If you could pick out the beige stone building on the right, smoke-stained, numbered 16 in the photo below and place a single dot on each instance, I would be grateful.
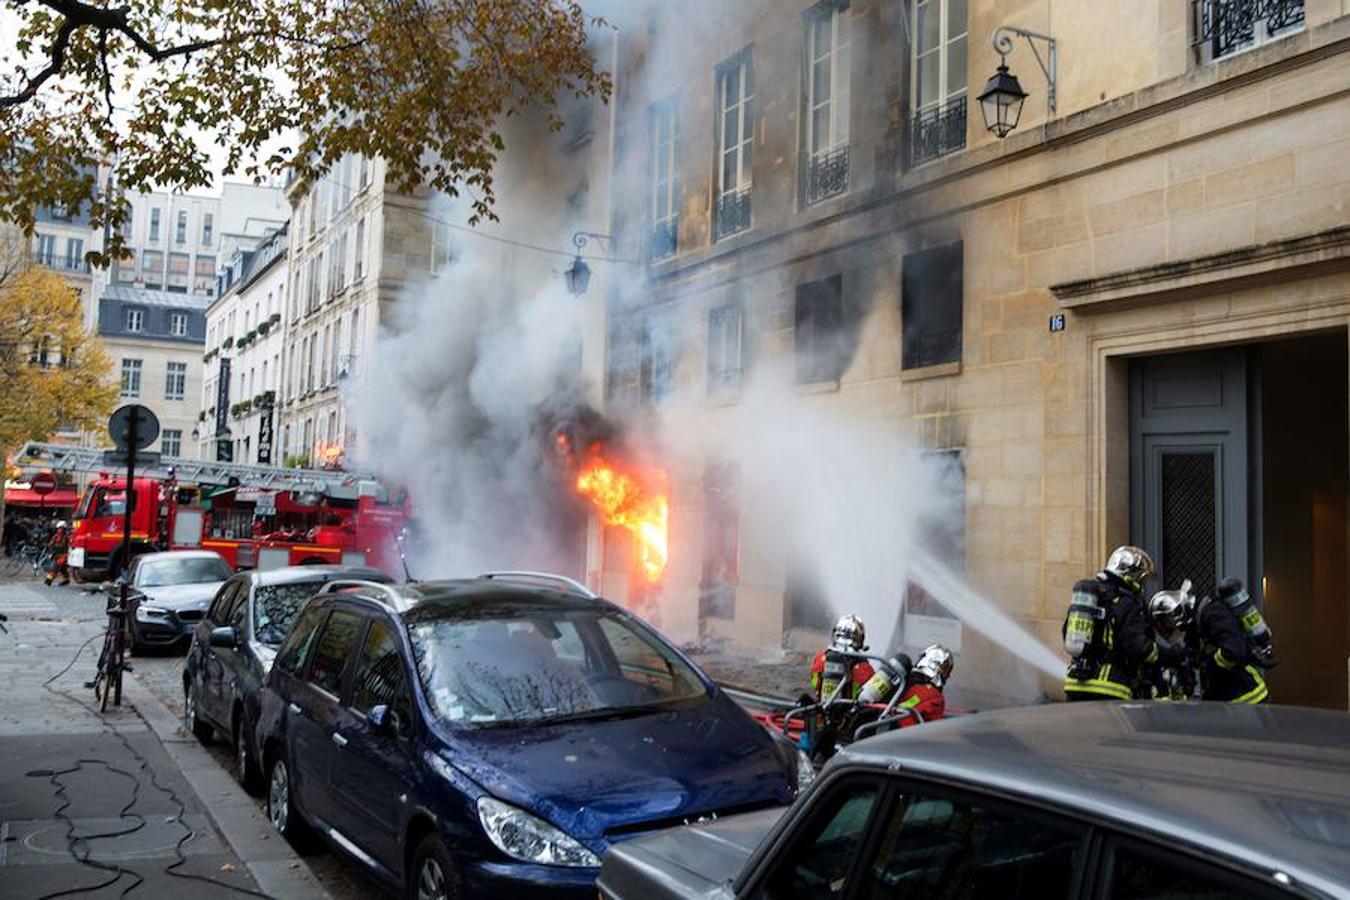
(1125, 322)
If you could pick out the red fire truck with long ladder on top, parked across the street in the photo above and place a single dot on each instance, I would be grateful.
(254, 516)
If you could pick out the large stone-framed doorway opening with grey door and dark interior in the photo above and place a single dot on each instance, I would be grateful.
(1239, 468)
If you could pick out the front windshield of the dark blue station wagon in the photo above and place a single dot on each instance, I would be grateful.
(510, 667)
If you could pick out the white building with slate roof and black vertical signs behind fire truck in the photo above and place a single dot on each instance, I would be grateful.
(244, 356)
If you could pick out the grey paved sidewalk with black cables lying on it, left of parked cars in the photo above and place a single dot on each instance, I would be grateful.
(130, 793)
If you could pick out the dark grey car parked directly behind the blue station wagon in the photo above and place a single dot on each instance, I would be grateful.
(236, 643)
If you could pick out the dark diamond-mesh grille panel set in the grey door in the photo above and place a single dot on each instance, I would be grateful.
(1190, 522)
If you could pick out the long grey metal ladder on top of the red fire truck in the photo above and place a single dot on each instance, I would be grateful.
(195, 472)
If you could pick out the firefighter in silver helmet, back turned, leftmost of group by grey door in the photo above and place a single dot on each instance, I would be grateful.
(1108, 634)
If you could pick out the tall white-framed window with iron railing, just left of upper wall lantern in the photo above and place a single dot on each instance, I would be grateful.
(938, 79)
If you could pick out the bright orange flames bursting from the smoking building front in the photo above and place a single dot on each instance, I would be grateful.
(622, 500)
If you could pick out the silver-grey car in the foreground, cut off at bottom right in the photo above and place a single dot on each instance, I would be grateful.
(1090, 801)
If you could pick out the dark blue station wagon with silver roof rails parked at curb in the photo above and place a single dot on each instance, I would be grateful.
(493, 737)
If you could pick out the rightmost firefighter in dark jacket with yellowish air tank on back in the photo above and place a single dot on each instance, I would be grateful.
(1231, 665)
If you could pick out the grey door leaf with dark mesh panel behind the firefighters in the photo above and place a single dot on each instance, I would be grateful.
(1190, 480)
